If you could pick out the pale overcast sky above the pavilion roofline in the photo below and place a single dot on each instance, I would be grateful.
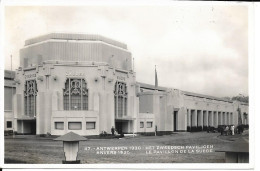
(202, 49)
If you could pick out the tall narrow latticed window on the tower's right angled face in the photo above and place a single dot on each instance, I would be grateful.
(120, 99)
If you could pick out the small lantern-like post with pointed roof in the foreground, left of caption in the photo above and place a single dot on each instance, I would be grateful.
(71, 147)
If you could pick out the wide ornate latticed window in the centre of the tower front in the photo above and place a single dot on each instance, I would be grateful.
(75, 96)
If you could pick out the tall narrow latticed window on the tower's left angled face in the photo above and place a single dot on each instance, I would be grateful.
(30, 94)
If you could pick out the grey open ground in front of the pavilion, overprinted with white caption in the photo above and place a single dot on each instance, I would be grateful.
(140, 149)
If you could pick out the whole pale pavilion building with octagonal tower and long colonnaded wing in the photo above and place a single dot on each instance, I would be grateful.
(86, 84)
